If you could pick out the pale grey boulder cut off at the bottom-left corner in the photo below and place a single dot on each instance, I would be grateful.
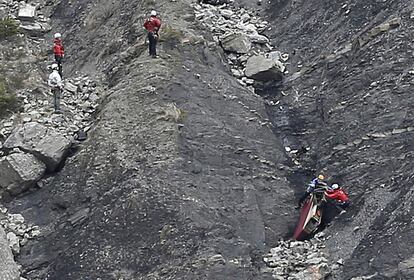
(8, 268)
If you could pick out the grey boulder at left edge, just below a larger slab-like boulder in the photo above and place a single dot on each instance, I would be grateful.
(20, 171)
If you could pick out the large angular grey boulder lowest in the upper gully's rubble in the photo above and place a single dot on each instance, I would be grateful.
(264, 69)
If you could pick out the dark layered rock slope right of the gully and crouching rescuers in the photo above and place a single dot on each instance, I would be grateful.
(349, 99)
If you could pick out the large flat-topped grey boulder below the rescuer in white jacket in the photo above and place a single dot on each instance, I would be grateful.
(46, 144)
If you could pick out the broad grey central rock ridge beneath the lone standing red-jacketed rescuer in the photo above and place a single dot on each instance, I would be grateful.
(180, 177)
